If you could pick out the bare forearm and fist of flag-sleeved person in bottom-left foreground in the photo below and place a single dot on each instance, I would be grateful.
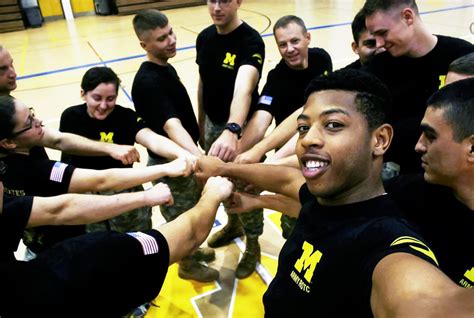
(187, 232)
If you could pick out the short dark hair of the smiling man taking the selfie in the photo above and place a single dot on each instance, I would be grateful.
(373, 98)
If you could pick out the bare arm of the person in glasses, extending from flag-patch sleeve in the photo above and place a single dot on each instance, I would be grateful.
(116, 179)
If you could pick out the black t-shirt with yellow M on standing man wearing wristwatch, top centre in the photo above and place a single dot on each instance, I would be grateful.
(219, 57)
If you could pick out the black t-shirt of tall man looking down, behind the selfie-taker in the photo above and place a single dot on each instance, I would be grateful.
(411, 82)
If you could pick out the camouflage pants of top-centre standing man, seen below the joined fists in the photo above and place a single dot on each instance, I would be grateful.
(252, 221)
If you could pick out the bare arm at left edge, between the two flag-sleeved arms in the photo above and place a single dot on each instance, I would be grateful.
(72, 209)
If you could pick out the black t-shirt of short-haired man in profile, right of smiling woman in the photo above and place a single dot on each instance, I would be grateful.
(159, 95)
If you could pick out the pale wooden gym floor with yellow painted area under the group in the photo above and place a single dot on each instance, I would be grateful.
(51, 60)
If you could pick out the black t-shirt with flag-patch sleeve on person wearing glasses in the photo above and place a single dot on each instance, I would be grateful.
(39, 177)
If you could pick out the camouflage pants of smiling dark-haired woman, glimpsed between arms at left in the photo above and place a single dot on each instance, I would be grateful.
(131, 221)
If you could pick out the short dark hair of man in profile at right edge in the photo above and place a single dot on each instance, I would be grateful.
(457, 101)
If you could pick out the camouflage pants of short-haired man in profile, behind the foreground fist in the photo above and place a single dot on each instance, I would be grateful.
(185, 191)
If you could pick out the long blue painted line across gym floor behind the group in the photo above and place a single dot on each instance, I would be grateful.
(193, 47)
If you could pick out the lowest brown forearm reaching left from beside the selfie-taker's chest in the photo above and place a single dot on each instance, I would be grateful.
(243, 202)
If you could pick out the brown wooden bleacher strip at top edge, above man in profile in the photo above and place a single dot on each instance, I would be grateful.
(133, 6)
